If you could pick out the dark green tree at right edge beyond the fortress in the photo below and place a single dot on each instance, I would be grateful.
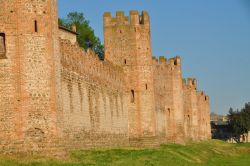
(240, 120)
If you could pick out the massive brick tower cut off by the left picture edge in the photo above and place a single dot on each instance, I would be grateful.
(29, 69)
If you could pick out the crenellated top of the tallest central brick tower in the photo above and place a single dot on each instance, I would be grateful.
(134, 18)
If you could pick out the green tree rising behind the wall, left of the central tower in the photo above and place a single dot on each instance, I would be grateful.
(86, 38)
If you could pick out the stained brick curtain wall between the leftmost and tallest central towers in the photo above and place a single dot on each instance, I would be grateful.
(94, 100)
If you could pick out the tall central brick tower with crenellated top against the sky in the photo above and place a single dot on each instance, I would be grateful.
(127, 44)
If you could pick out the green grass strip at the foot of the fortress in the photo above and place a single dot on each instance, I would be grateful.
(214, 153)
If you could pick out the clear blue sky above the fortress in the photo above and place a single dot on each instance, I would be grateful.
(211, 36)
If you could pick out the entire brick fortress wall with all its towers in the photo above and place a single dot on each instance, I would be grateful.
(56, 97)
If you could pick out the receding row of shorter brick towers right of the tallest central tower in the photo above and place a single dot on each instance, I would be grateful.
(182, 112)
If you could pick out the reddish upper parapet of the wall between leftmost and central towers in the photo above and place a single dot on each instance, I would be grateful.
(82, 62)
